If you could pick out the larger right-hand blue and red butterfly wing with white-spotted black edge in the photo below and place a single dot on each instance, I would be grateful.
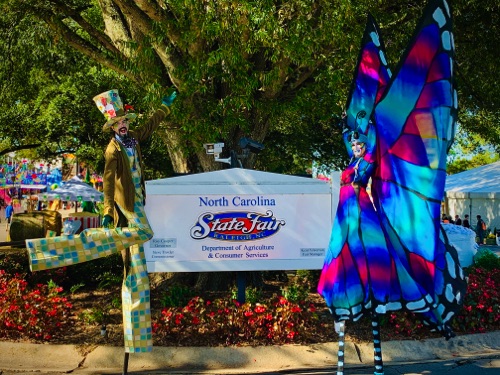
(415, 122)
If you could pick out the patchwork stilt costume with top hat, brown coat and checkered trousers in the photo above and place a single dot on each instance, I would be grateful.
(124, 198)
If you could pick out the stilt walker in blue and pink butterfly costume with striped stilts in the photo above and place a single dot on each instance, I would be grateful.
(387, 250)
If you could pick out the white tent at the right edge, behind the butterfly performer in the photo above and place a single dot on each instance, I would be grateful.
(475, 192)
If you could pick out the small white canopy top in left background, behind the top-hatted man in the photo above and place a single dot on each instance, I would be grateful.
(73, 190)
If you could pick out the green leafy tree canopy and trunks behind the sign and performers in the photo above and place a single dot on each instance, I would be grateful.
(274, 71)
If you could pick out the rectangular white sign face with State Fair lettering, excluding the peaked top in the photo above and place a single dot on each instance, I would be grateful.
(237, 232)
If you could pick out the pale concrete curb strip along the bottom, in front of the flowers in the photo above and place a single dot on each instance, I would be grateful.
(19, 357)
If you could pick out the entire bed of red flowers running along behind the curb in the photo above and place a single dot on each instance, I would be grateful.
(41, 312)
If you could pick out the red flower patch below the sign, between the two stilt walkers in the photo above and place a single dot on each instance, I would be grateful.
(276, 322)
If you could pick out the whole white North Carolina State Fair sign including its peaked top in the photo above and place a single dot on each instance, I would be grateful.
(239, 221)
